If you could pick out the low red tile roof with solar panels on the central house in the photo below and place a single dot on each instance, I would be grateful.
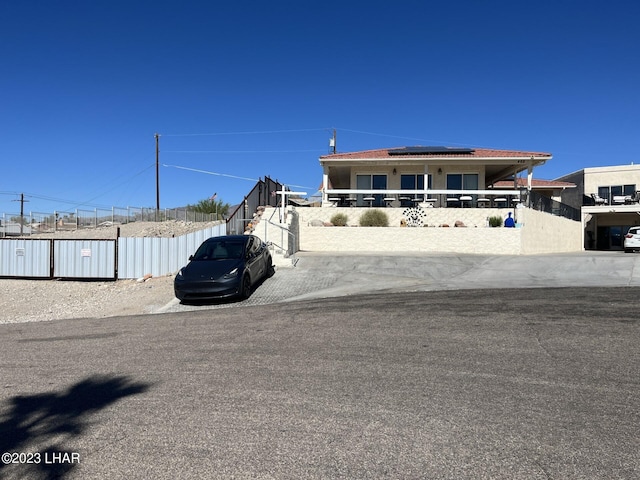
(403, 153)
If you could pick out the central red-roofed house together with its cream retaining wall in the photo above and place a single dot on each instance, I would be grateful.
(436, 188)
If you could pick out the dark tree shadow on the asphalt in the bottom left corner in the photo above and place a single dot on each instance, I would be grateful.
(40, 424)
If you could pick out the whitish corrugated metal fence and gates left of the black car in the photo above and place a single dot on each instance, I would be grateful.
(99, 259)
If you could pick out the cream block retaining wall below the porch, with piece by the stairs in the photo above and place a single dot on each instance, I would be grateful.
(539, 232)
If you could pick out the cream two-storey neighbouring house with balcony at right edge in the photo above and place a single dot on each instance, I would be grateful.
(608, 198)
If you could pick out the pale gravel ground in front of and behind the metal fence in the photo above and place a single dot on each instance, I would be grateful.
(42, 300)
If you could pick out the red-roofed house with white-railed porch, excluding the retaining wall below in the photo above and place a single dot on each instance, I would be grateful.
(440, 176)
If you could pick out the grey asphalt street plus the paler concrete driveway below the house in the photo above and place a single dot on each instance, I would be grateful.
(426, 383)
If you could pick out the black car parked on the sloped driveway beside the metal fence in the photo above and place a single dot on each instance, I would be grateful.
(224, 267)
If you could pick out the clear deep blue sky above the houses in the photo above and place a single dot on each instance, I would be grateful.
(245, 89)
